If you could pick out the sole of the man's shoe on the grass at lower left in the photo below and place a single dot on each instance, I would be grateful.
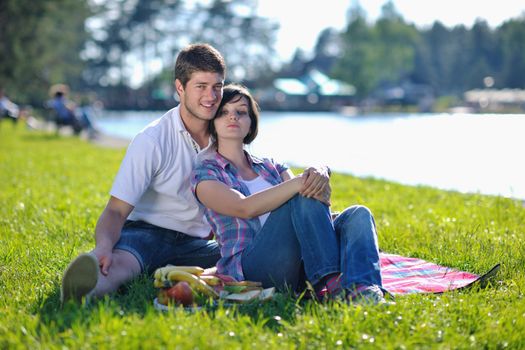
(80, 278)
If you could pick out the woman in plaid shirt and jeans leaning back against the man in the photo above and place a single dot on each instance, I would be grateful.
(267, 231)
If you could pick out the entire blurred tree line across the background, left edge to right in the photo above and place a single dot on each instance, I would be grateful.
(97, 46)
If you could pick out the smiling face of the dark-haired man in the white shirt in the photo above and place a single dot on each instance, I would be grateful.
(202, 95)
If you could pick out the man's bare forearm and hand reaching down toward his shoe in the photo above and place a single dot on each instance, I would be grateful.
(107, 231)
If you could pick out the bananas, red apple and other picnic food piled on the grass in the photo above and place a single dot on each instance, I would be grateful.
(179, 284)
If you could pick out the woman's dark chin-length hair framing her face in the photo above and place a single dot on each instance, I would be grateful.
(233, 92)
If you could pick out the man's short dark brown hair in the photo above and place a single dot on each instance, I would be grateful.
(198, 57)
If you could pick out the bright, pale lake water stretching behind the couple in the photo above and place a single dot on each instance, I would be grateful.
(464, 152)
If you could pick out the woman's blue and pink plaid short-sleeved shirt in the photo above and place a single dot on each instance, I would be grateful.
(234, 234)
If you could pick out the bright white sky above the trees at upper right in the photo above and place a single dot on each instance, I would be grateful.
(302, 21)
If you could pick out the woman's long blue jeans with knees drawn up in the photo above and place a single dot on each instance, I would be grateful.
(301, 233)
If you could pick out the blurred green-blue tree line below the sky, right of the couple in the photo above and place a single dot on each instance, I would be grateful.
(450, 60)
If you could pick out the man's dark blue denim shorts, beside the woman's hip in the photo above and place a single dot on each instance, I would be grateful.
(156, 247)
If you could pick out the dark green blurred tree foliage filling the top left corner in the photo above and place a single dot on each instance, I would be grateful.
(40, 43)
